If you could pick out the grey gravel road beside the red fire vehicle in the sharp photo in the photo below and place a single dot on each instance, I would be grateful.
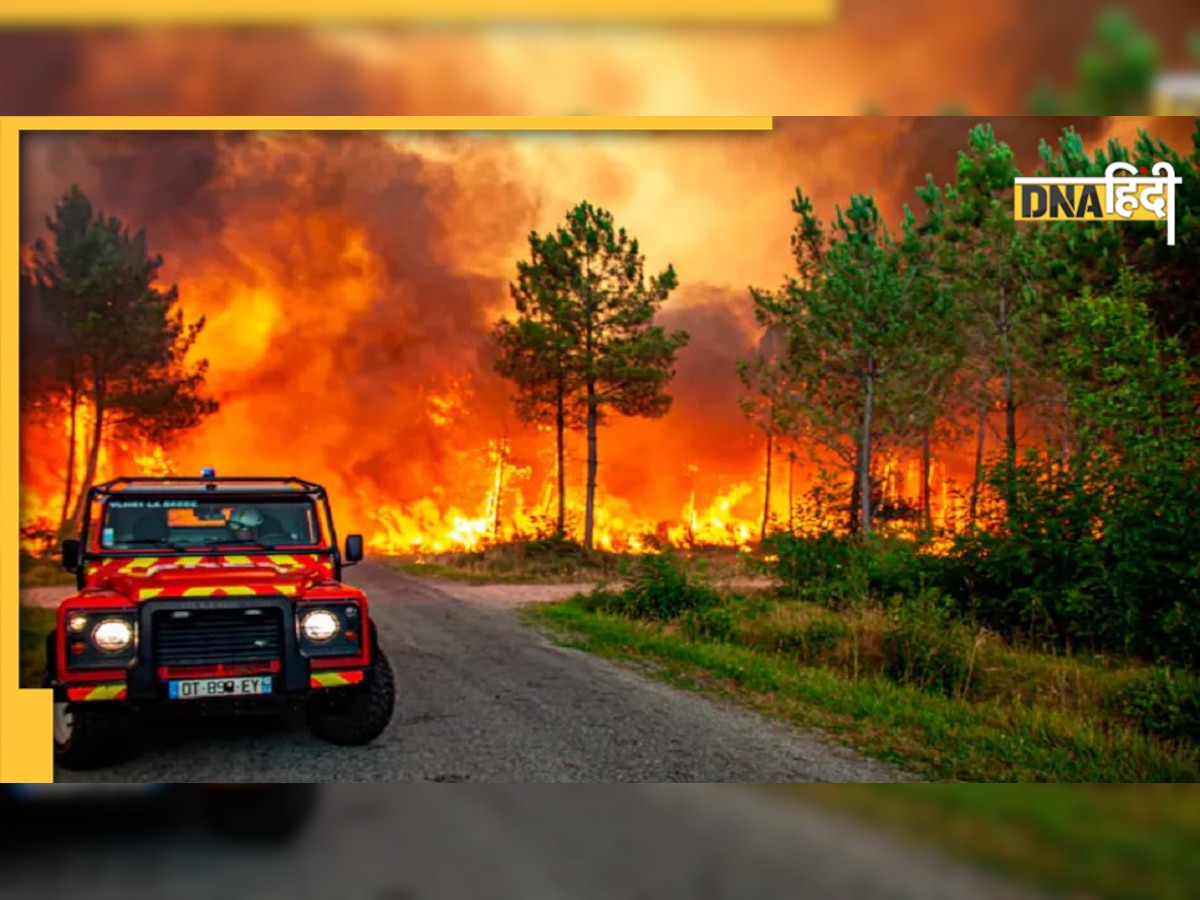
(484, 699)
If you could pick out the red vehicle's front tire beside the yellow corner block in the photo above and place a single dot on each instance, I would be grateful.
(101, 733)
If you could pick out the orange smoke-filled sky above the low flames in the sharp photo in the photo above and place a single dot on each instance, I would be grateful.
(351, 283)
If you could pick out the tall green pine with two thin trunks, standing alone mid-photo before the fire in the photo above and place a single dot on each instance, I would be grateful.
(584, 341)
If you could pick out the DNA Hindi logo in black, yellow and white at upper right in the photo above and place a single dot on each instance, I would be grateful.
(1126, 194)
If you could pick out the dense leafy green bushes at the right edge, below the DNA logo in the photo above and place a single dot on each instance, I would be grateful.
(1094, 553)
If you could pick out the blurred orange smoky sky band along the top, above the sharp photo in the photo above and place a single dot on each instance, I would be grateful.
(905, 57)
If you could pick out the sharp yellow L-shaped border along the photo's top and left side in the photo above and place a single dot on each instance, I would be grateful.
(26, 727)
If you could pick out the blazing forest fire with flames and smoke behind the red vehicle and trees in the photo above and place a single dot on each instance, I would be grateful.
(350, 287)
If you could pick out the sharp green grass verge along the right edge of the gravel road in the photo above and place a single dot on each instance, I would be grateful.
(933, 735)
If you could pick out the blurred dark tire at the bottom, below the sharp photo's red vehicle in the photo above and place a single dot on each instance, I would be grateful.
(260, 814)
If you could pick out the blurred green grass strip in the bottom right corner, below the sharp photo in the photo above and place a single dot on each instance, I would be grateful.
(1123, 843)
